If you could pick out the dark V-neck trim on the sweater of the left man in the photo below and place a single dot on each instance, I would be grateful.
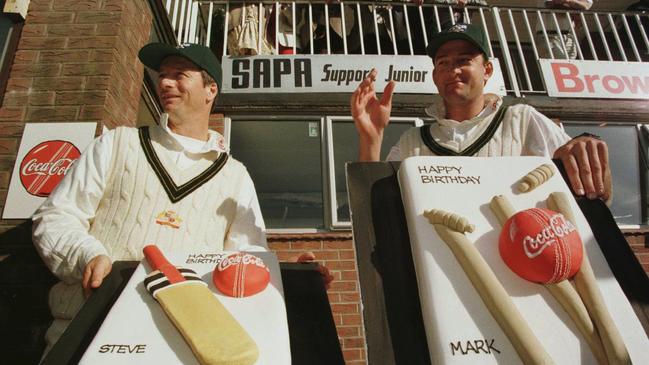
(177, 192)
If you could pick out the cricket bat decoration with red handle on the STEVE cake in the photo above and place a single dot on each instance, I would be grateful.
(213, 334)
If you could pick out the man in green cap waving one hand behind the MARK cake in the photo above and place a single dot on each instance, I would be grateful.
(468, 123)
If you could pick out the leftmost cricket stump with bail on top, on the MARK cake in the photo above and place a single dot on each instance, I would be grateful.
(451, 228)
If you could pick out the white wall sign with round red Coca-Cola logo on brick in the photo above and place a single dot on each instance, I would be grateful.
(46, 153)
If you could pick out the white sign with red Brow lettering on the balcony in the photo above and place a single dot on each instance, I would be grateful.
(596, 79)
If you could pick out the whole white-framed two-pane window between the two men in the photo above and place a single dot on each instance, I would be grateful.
(296, 162)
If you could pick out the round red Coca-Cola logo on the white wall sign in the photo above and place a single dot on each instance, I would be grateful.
(45, 165)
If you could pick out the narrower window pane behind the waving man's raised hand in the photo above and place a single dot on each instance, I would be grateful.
(345, 143)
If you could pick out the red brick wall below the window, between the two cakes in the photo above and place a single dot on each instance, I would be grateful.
(336, 251)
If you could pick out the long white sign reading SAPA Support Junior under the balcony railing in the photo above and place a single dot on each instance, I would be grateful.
(334, 74)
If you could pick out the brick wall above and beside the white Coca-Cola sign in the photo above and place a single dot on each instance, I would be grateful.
(76, 61)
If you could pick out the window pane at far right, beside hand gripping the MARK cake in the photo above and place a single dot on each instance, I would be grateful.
(625, 168)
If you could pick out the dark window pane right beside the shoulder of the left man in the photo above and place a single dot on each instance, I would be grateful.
(283, 159)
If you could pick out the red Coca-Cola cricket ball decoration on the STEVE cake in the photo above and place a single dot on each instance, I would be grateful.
(241, 275)
